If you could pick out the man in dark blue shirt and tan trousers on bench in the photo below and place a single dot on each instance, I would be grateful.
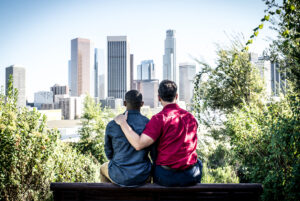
(127, 167)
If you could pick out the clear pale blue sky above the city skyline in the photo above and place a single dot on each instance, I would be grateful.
(36, 34)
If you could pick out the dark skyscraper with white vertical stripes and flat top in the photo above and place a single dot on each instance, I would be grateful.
(118, 69)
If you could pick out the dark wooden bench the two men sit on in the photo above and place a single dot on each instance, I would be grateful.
(107, 191)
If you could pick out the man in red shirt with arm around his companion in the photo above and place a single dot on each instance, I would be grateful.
(175, 132)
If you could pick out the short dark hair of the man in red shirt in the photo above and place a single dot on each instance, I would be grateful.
(167, 90)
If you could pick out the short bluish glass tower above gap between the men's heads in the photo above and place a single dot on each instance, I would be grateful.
(146, 70)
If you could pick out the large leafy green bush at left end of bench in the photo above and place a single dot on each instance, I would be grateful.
(32, 156)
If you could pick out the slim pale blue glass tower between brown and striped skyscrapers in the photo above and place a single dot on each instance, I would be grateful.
(102, 92)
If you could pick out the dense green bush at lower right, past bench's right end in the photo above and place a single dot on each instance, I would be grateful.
(266, 141)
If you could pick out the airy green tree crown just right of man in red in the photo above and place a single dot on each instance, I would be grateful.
(231, 82)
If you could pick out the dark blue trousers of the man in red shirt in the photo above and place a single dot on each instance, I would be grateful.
(187, 177)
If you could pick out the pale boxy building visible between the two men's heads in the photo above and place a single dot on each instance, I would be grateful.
(149, 90)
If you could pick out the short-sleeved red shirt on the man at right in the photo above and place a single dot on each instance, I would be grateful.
(176, 132)
